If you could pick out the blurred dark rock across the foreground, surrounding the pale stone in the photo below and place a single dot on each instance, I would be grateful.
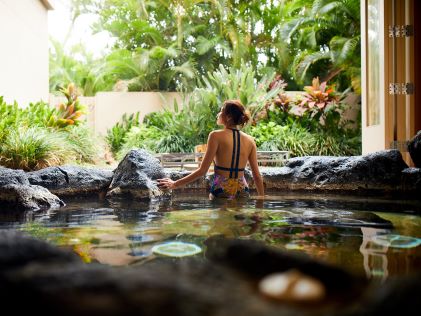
(52, 281)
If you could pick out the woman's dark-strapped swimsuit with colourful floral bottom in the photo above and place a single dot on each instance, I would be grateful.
(234, 186)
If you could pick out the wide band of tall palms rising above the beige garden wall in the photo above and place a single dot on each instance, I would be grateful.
(165, 45)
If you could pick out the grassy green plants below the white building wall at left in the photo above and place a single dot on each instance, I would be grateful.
(29, 141)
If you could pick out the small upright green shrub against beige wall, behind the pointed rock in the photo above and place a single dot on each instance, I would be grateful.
(117, 134)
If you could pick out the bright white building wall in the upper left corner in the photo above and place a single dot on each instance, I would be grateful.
(23, 51)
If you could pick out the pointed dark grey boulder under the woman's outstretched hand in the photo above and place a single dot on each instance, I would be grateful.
(136, 176)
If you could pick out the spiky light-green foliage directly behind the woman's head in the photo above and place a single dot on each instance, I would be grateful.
(181, 128)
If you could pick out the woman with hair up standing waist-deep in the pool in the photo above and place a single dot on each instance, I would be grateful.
(230, 150)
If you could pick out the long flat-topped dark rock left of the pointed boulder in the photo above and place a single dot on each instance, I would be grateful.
(72, 180)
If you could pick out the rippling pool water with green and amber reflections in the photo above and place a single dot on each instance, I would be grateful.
(367, 236)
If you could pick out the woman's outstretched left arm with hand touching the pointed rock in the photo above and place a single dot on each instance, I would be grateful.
(211, 149)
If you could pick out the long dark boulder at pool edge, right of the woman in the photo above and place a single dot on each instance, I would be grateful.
(379, 171)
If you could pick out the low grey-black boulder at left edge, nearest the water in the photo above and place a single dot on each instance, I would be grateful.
(28, 197)
